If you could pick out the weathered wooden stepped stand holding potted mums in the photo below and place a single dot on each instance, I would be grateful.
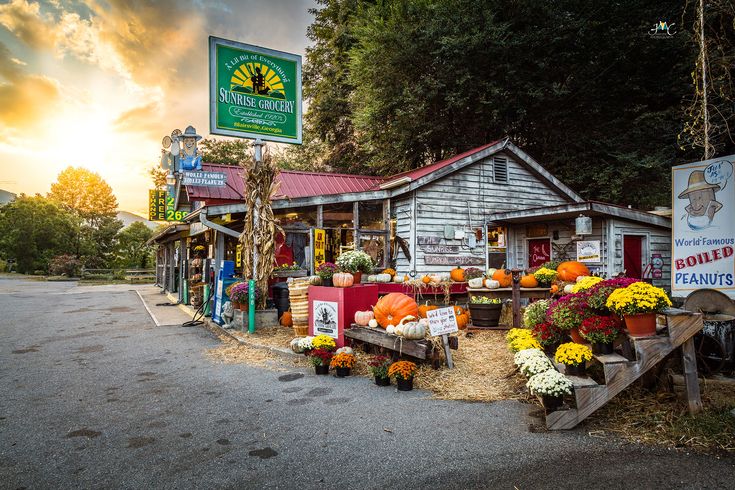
(621, 372)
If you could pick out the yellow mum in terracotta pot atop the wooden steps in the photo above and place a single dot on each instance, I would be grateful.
(638, 304)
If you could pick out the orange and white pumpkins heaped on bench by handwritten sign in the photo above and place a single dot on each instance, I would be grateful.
(400, 315)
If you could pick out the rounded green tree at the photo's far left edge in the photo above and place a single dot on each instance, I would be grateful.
(35, 229)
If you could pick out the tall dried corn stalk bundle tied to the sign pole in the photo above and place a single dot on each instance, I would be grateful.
(260, 185)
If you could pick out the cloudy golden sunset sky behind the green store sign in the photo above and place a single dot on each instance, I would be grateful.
(98, 83)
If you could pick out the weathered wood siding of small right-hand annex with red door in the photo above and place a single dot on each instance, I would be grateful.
(657, 240)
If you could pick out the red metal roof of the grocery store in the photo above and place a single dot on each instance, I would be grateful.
(308, 184)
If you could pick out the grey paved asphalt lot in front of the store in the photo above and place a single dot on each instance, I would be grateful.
(93, 395)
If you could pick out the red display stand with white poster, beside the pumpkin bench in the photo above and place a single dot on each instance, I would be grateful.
(332, 310)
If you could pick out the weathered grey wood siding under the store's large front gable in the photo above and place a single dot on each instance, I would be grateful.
(462, 200)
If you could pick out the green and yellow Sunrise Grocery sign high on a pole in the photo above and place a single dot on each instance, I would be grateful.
(254, 92)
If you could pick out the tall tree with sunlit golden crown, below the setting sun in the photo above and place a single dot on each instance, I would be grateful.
(86, 194)
